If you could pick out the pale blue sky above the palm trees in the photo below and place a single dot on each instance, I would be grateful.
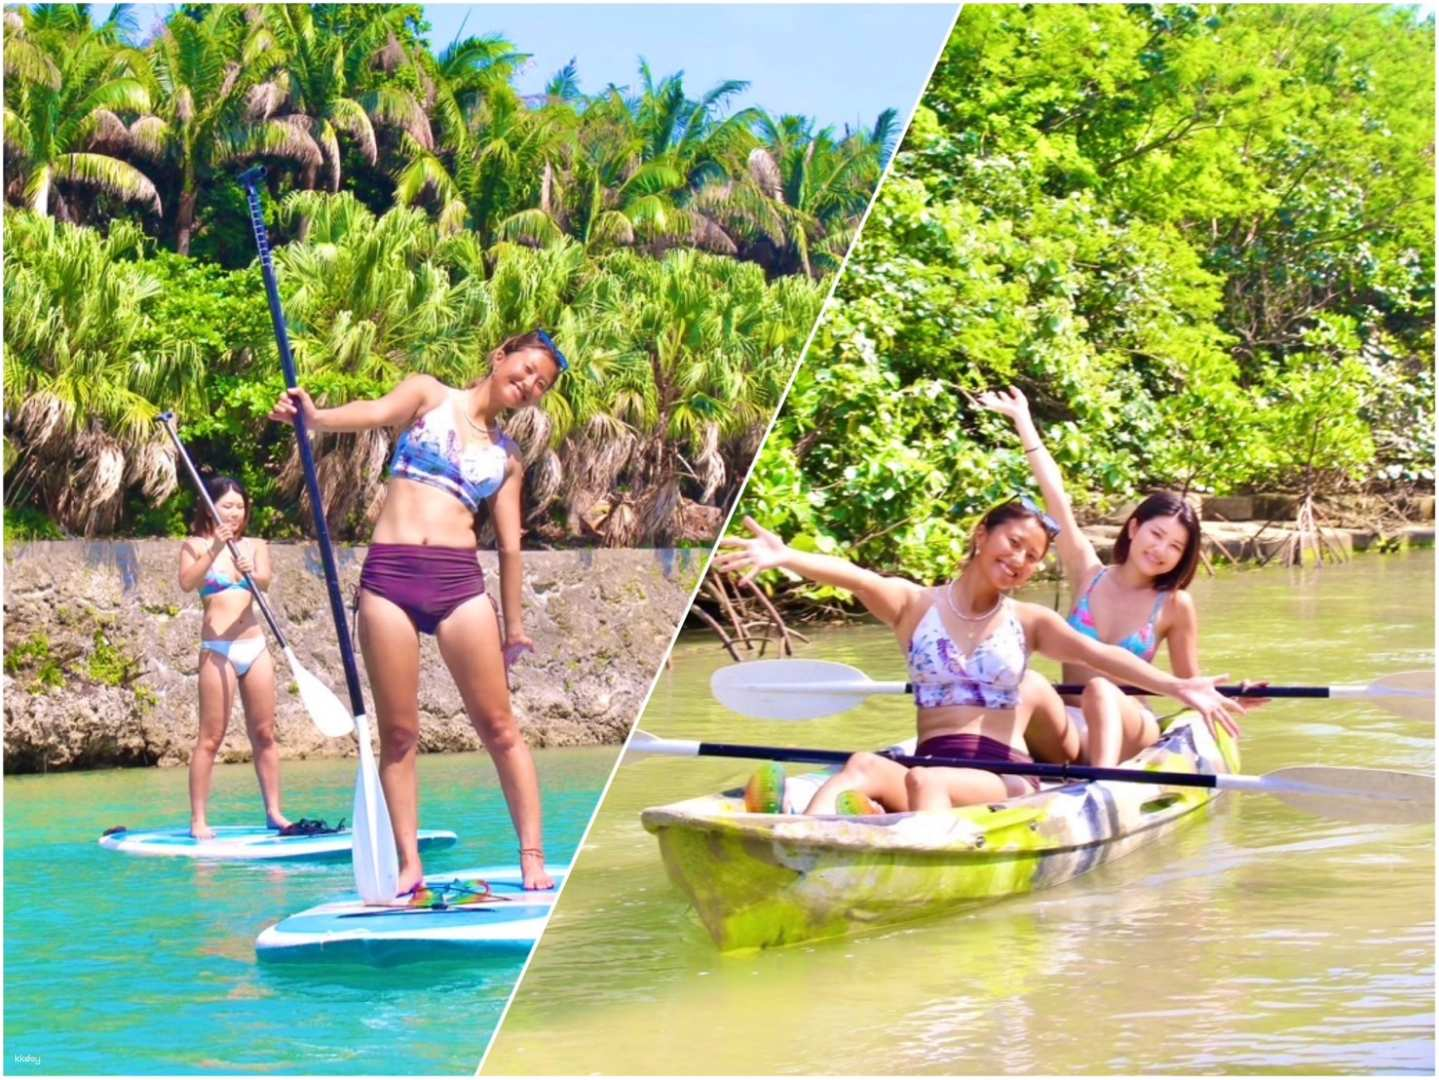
(841, 64)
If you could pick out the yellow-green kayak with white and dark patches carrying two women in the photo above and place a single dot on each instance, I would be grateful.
(762, 881)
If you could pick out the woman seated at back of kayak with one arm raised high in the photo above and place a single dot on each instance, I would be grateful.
(1138, 605)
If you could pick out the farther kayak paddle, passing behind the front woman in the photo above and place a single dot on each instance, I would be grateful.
(809, 690)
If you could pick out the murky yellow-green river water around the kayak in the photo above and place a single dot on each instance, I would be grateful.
(1254, 941)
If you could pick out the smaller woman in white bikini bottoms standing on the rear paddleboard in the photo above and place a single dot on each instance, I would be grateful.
(232, 648)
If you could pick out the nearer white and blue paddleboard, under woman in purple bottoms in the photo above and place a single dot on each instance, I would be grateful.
(458, 915)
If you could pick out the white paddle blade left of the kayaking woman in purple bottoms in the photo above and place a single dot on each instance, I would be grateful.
(794, 690)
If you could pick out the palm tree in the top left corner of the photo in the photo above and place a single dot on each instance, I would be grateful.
(65, 101)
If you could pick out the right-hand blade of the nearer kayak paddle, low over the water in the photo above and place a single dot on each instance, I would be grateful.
(1353, 795)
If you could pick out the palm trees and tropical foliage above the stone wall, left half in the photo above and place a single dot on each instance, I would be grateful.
(424, 211)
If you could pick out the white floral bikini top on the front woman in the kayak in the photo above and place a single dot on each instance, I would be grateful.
(989, 677)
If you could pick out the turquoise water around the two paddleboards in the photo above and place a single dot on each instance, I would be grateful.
(119, 964)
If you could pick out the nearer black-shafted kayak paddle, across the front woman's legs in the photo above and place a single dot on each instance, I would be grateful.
(1348, 795)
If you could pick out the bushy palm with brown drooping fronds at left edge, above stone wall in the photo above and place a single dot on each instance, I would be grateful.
(83, 375)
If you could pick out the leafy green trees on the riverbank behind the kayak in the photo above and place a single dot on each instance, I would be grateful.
(1201, 239)
